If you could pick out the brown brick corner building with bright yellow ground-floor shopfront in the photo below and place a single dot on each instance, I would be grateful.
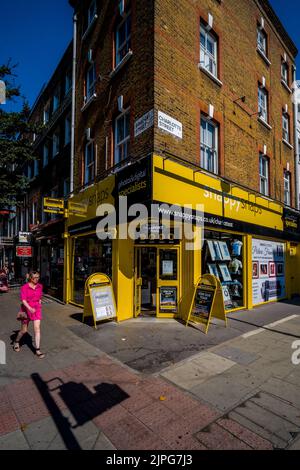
(191, 102)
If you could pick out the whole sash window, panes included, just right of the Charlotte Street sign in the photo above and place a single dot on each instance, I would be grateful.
(209, 146)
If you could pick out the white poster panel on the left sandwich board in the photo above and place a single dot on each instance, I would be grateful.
(103, 303)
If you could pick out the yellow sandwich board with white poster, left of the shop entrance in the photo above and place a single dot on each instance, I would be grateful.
(99, 299)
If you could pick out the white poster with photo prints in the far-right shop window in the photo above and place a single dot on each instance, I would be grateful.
(268, 268)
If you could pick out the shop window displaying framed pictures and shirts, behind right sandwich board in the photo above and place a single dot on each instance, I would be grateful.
(223, 257)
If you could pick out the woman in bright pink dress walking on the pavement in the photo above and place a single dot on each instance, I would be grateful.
(31, 298)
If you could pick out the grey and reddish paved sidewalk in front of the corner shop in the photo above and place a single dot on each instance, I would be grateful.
(150, 384)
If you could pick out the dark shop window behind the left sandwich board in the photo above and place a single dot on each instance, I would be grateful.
(91, 256)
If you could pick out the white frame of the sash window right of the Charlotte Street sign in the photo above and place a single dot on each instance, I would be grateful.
(212, 164)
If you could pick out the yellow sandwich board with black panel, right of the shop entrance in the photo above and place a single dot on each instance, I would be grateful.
(207, 302)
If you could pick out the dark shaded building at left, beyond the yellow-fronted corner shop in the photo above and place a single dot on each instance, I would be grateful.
(49, 176)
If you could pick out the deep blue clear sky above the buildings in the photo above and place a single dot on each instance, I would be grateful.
(35, 34)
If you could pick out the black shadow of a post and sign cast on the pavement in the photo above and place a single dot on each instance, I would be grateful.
(80, 401)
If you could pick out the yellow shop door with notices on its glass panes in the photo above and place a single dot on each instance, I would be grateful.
(168, 285)
